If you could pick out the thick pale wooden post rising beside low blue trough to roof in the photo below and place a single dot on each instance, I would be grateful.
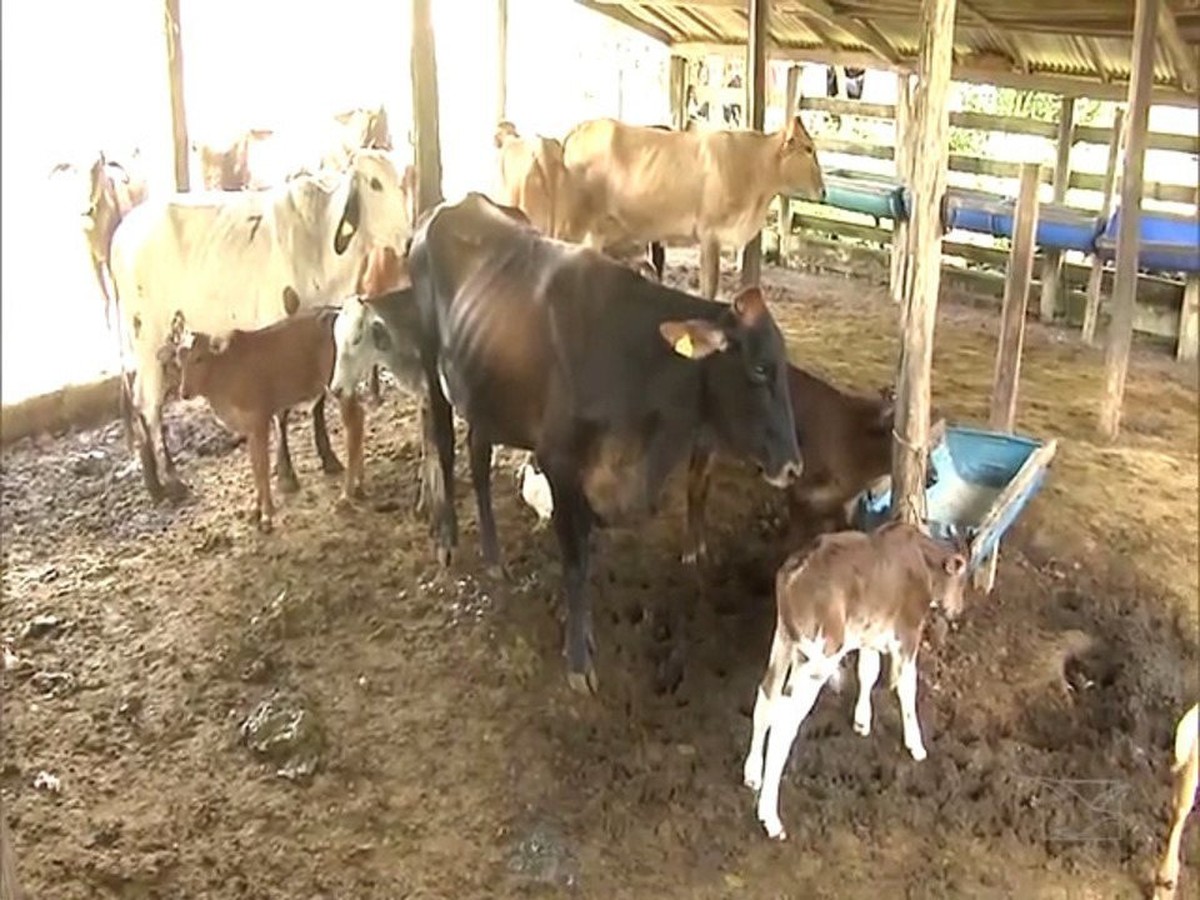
(932, 152)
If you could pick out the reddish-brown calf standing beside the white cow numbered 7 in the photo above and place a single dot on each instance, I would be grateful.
(249, 377)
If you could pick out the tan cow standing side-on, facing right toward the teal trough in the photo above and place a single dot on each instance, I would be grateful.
(643, 184)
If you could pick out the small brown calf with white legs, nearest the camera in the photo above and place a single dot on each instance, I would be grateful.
(854, 592)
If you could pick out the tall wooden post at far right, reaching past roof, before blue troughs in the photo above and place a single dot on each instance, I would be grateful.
(1125, 289)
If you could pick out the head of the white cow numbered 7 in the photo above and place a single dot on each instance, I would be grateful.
(379, 202)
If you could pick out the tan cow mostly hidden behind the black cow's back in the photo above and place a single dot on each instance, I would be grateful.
(532, 178)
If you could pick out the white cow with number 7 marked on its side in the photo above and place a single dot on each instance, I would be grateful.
(244, 261)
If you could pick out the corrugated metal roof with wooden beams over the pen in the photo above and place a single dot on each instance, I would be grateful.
(1016, 40)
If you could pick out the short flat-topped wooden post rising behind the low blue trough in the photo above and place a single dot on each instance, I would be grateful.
(1018, 281)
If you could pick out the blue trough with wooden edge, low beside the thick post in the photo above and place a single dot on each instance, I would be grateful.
(985, 481)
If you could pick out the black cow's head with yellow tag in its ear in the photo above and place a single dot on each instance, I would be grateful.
(746, 383)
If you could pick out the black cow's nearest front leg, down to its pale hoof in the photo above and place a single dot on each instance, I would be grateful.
(573, 527)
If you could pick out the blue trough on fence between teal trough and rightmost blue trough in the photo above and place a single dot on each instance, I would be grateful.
(1060, 227)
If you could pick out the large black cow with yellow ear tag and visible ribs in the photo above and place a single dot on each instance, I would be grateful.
(610, 379)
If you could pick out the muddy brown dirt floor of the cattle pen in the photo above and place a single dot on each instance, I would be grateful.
(193, 710)
